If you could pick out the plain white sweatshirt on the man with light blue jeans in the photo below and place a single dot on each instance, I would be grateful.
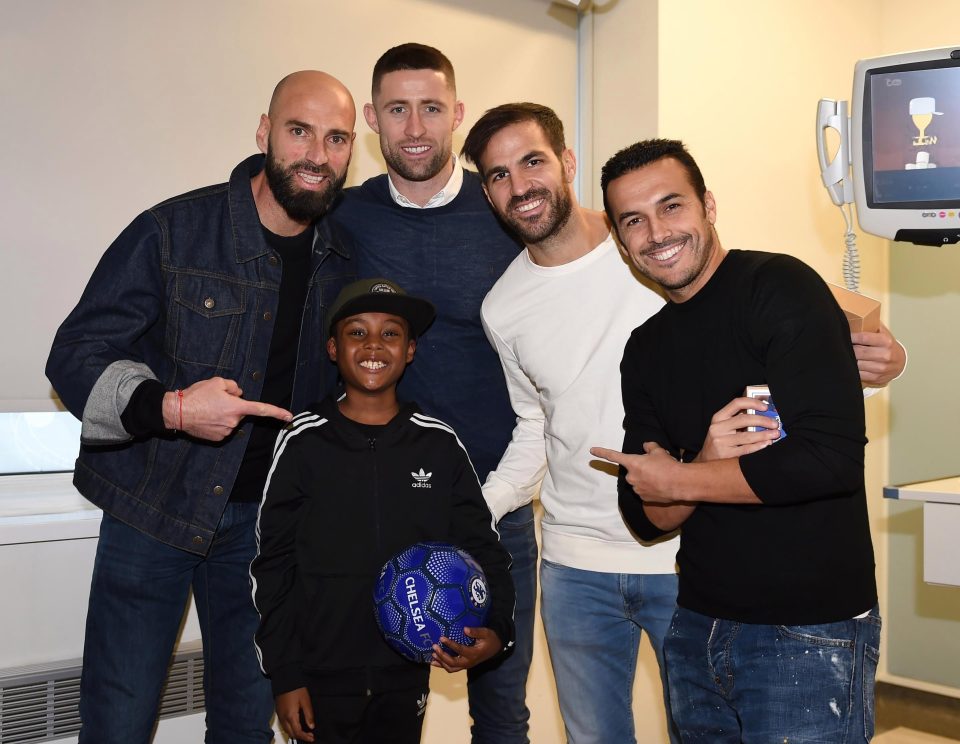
(560, 333)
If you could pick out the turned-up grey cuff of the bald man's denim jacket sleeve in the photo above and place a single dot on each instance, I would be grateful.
(107, 400)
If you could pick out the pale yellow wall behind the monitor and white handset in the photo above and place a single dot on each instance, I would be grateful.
(739, 82)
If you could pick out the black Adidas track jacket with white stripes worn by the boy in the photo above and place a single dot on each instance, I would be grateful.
(337, 505)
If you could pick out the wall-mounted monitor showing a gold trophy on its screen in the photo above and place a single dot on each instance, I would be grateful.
(905, 146)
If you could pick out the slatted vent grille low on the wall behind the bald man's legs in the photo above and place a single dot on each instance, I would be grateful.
(40, 703)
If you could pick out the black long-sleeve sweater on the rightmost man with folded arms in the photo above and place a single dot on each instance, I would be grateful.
(804, 555)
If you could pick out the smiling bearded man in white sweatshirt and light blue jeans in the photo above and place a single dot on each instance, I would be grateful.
(559, 318)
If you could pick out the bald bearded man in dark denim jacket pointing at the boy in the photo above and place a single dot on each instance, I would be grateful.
(182, 359)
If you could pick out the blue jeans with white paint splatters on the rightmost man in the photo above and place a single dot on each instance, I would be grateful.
(733, 682)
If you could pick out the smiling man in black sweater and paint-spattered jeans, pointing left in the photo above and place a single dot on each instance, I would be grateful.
(777, 631)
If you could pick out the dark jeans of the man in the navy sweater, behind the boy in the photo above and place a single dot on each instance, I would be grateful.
(498, 689)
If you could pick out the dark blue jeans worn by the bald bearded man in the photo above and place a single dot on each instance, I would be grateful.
(137, 601)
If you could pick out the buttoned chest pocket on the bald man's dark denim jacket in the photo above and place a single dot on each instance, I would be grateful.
(206, 314)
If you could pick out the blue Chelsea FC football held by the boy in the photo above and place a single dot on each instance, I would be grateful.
(429, 590)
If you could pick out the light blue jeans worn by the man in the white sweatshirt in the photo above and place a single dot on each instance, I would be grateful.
(593, 623)
